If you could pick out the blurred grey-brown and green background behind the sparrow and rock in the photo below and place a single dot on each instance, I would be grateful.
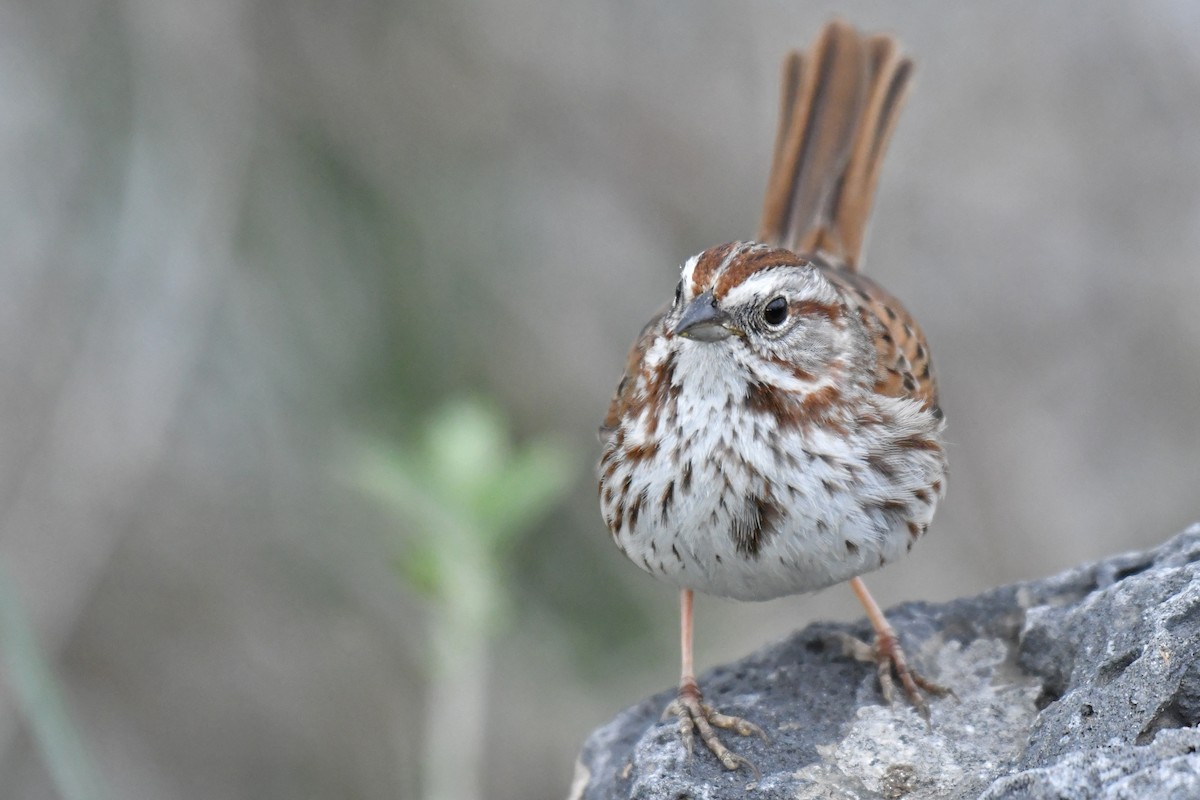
(310, 311)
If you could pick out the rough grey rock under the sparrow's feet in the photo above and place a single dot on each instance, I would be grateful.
(1082, 685)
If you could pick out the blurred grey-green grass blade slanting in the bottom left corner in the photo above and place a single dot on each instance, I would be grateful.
(41, 701)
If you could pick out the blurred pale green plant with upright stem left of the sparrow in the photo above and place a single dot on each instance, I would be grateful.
(465, 496)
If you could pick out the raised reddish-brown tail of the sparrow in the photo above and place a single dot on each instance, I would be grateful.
(841, 103)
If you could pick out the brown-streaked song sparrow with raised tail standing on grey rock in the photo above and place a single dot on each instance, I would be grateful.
(777, 430)
